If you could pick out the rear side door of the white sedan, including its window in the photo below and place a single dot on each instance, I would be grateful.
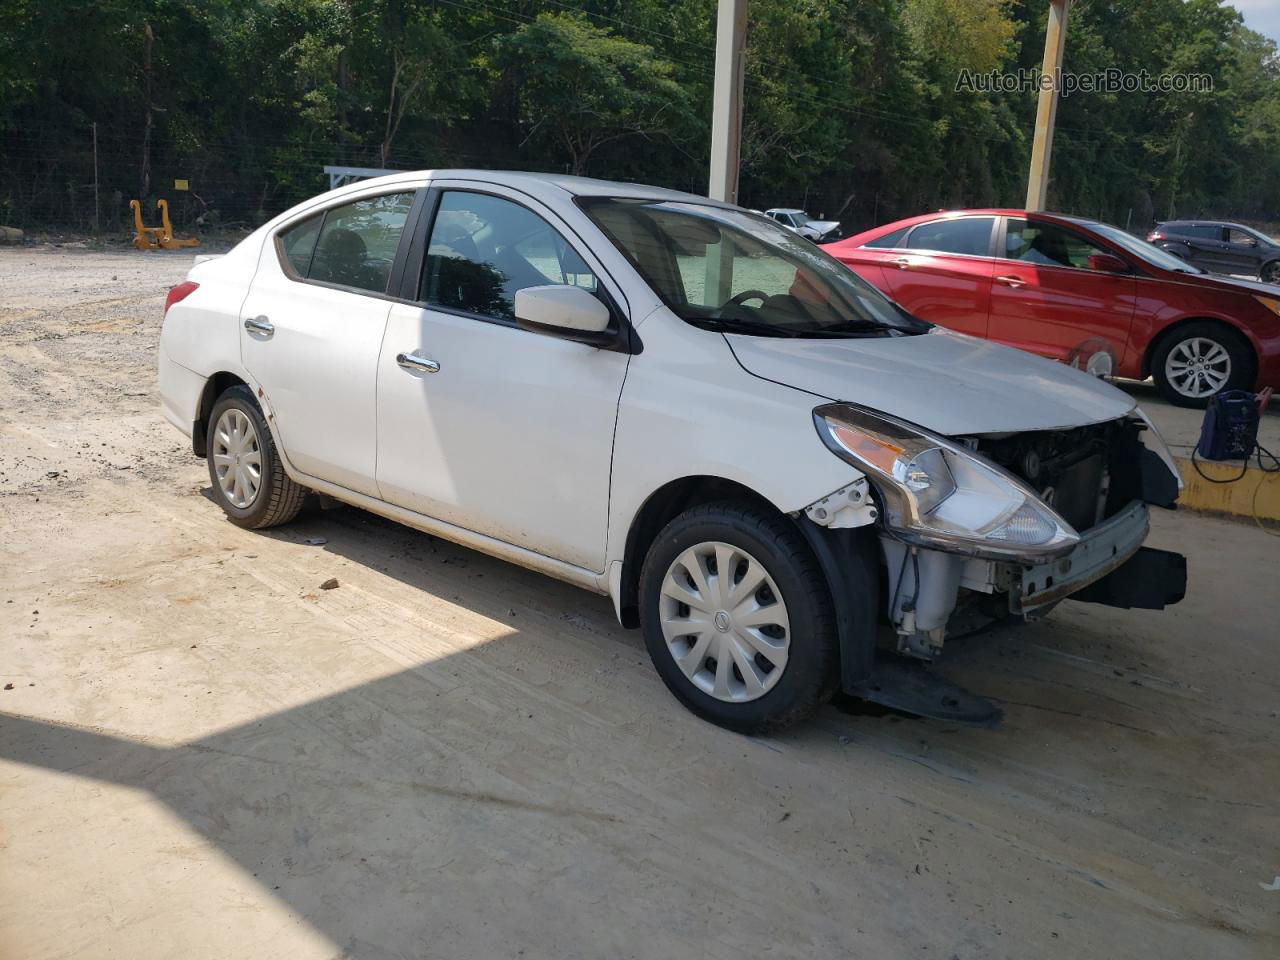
(312, 327)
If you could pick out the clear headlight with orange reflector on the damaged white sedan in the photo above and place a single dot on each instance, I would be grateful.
(939, 495)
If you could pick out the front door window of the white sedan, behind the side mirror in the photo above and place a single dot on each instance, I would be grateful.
(484, 249)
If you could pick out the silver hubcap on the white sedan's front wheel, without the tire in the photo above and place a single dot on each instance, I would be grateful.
(725, 623)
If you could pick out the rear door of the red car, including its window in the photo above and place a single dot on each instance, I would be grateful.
(944, 272)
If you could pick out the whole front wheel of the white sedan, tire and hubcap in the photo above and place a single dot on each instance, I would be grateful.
(738, 619)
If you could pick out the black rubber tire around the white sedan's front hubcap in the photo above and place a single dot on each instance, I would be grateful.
(811, 670)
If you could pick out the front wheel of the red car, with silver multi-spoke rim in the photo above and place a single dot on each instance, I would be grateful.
(1201, 360)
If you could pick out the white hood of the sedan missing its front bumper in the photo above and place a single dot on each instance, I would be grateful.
(941, 381)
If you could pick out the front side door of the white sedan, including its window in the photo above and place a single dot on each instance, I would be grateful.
(502, 432)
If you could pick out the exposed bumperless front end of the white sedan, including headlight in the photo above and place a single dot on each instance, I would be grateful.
(986, 528)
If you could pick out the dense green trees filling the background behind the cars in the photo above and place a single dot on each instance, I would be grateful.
(852, 106)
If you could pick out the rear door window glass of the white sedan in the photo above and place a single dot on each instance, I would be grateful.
(353, 245)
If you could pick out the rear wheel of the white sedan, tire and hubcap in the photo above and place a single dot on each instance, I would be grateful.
(245, 469)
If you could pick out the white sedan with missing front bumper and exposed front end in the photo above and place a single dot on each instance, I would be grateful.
(787, 481)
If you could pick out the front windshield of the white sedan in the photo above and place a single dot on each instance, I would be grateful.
(737, 272)
